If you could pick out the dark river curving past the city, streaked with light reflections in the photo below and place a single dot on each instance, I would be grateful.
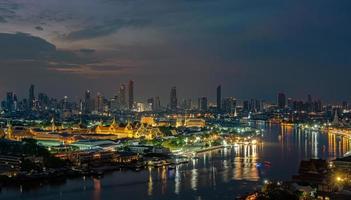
(220, 174)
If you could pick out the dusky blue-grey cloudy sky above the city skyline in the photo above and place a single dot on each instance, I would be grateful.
(254, 49)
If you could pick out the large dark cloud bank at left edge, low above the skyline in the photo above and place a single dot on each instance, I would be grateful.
(27, 50)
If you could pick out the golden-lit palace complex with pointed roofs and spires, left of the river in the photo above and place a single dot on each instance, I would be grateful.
(67, 135)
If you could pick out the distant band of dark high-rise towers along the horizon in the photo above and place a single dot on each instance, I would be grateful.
(127, 95)
